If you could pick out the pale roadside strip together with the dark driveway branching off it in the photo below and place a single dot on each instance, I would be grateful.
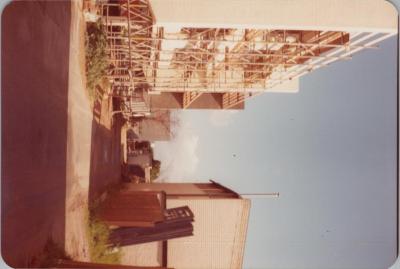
(93, 147)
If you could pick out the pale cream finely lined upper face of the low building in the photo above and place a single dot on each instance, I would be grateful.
(220, 228)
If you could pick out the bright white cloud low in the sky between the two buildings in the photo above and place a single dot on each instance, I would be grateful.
(178, 157)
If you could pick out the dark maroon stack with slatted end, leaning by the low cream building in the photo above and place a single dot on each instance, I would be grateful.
(177, 223)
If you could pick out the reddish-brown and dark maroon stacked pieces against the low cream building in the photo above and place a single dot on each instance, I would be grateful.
(141, 217)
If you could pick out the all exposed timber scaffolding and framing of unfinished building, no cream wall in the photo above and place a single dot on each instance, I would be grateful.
(236, 63)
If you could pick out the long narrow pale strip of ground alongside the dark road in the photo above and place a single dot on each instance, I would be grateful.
(78, 143)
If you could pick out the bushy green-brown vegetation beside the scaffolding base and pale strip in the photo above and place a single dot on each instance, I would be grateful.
(97, 63)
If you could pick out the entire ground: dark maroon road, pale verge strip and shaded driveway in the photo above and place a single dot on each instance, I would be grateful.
(55, 154)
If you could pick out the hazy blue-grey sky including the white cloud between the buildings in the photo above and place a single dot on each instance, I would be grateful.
(330, 150)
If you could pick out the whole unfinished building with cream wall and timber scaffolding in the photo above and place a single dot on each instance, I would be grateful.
(193, 54)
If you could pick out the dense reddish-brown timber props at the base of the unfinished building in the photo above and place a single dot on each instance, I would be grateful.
(133, 20)
